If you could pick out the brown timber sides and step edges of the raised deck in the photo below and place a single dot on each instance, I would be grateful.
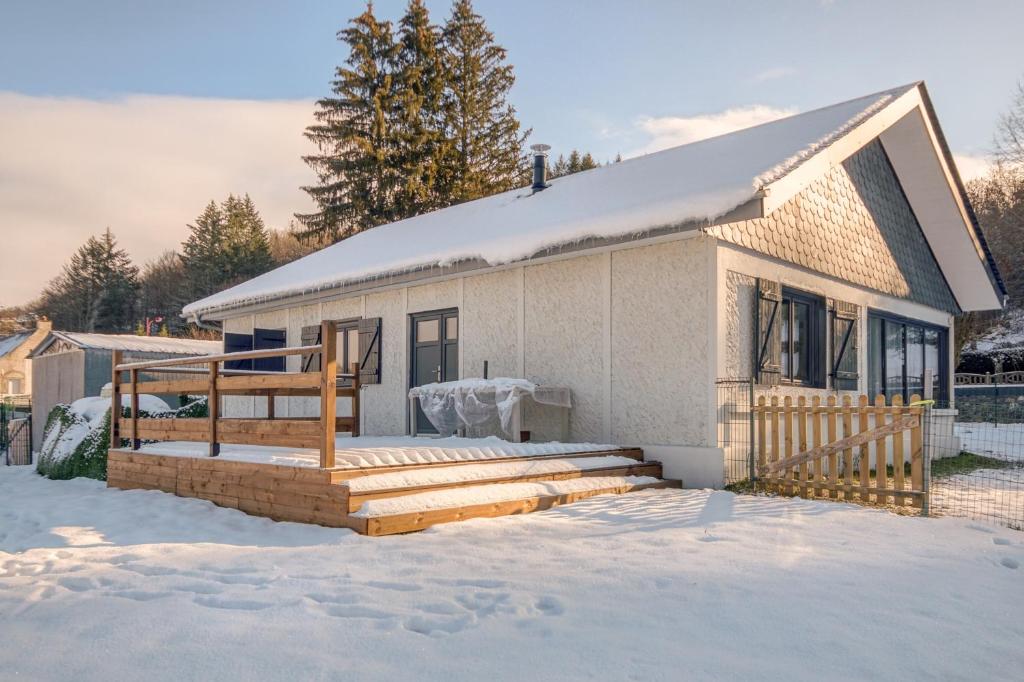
(309, 495)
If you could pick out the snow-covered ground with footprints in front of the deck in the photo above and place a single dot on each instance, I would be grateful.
(100, 585)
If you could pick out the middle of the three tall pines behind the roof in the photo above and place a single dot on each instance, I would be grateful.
(420, 81)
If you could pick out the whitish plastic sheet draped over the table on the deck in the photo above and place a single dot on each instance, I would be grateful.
(476, 403)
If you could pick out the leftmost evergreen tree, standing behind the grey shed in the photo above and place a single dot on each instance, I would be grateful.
(96, 291)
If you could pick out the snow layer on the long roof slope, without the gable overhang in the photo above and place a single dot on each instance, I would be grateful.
(682, 188)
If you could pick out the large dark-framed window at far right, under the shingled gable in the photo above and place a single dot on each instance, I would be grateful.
(902, 354)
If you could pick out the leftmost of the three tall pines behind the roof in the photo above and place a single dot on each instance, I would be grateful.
(357, 137)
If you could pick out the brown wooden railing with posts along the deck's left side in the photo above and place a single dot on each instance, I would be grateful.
(205, 376)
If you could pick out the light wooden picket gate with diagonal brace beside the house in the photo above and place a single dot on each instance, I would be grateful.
(856, 453)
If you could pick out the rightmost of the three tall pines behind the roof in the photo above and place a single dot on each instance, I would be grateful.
(487, 155)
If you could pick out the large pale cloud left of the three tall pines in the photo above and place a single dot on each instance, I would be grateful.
(145, 166)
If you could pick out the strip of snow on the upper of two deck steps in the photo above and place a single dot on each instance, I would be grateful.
(472, 473)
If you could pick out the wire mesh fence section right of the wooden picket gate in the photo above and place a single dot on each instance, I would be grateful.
(976, 455)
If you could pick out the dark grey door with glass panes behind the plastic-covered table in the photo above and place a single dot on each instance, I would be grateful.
(435, 355)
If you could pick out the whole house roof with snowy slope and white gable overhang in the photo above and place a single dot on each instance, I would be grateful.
(742, 176)
